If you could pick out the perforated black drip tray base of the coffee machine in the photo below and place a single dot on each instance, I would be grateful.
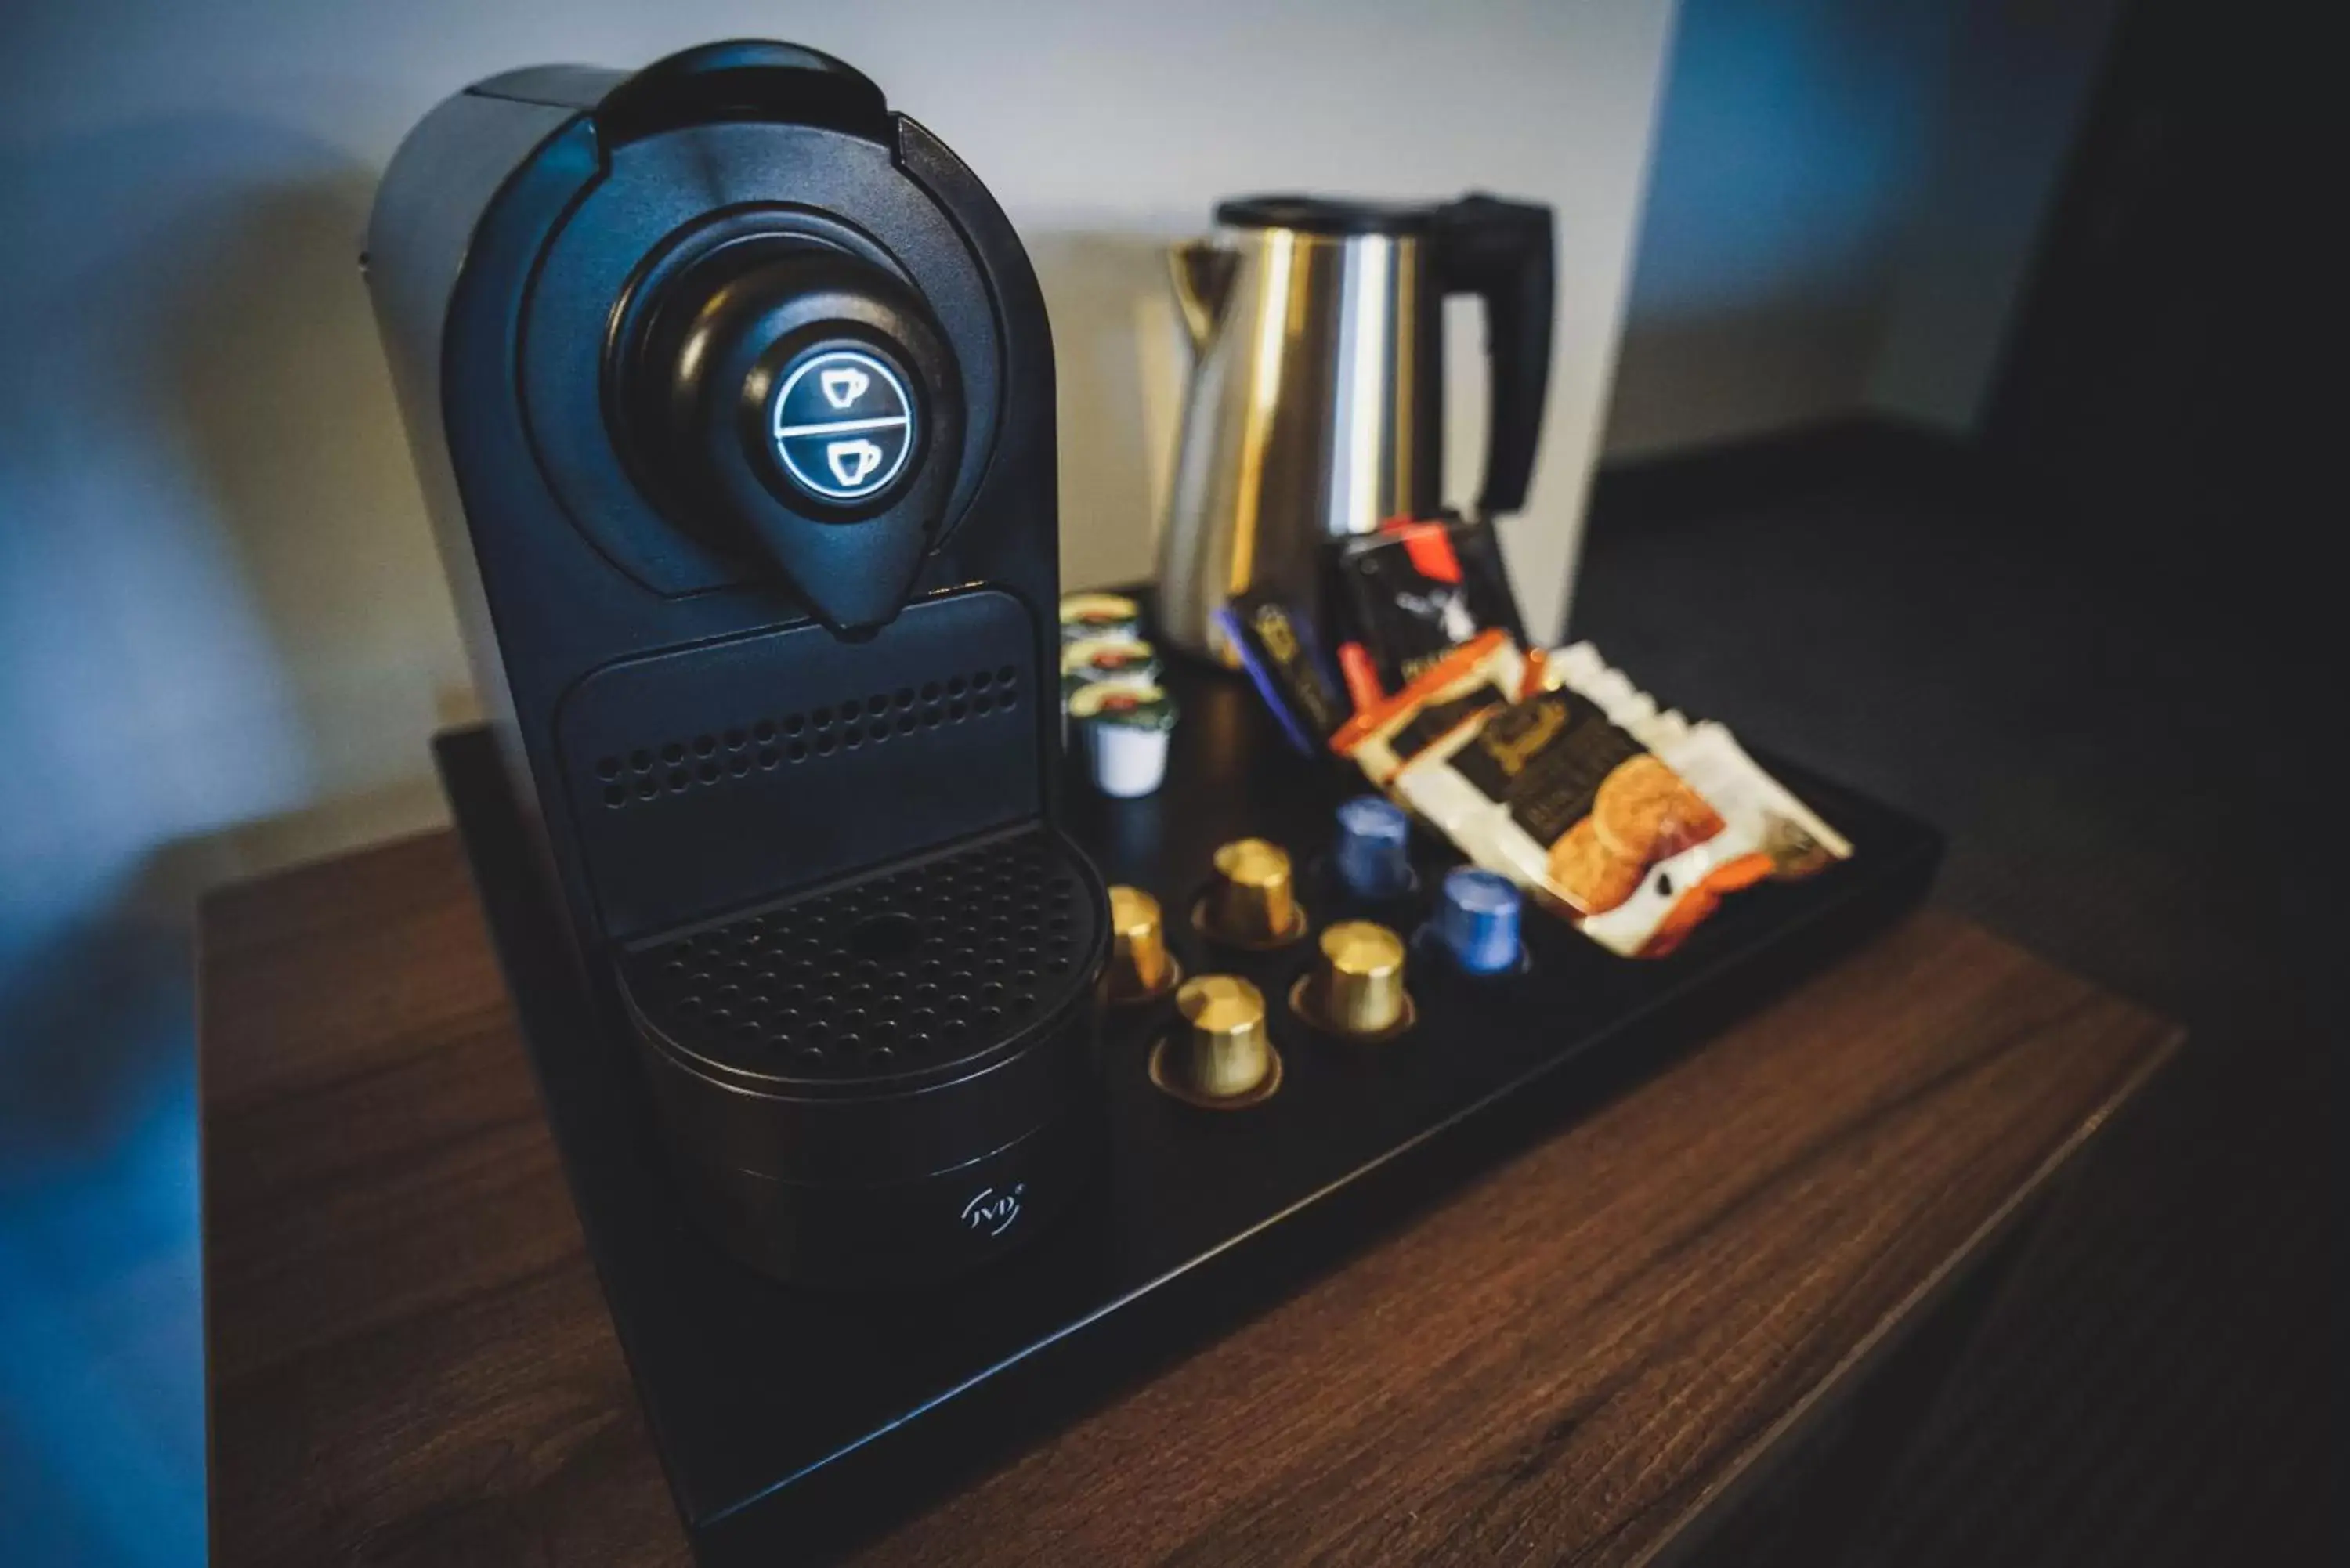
(847, 1071)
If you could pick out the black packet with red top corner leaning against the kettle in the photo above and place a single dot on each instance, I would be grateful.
(1416, 591)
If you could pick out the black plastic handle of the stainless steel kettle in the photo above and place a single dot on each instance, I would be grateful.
(1503, 255)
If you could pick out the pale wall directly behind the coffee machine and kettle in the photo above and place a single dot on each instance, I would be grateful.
(220, 612)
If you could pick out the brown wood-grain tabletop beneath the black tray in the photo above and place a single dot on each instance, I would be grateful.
(1578, 1358)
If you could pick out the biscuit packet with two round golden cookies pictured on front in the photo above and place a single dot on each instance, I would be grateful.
(1571, 782)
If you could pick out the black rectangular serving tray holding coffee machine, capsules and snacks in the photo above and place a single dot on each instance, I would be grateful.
(795, 1423)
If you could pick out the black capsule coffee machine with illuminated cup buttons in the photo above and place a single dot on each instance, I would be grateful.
(732, 394)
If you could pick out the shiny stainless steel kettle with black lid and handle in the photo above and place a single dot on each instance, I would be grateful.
(1317, 384)
